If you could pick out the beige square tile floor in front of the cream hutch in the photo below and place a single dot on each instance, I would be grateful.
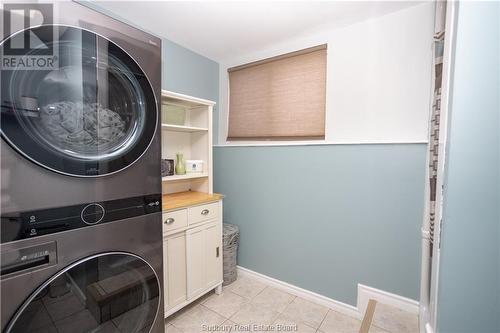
(248, 305)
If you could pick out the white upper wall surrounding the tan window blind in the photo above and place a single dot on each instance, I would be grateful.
(378, 77)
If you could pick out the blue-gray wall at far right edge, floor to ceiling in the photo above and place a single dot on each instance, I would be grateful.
(469, 287)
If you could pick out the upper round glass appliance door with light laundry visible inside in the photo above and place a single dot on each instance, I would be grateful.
(90, 114)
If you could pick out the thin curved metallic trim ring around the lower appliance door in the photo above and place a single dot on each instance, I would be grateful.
(67, 268)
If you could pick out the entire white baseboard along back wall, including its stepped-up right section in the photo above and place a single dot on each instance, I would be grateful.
(364, 294)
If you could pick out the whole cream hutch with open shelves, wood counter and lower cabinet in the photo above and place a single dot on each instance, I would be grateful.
(191, 212)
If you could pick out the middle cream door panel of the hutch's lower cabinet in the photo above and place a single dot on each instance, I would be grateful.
(196, 277)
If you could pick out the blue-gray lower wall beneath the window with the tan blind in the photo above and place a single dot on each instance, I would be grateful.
(327, 217)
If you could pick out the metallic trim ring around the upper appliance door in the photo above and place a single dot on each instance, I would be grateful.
(149, 83)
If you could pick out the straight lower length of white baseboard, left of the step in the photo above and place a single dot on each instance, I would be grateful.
(303, 293)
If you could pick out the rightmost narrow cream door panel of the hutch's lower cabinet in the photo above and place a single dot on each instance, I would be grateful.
(213, 254)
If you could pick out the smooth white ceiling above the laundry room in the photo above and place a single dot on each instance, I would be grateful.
(223, 29)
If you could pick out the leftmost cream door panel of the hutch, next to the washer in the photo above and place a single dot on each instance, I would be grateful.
(175, 248)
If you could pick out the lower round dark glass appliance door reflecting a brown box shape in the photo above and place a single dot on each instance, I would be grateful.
(115, 292)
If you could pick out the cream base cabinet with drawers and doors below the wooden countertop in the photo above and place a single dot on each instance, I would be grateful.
(192, 255)
